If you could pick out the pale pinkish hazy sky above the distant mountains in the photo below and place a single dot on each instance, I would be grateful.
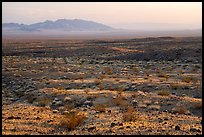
(127, 15)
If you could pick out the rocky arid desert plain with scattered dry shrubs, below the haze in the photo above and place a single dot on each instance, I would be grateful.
(141, 86)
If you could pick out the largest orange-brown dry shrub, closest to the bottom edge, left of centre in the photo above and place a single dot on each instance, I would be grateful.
(72, 120)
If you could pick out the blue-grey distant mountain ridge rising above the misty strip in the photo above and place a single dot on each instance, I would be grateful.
(60, 24)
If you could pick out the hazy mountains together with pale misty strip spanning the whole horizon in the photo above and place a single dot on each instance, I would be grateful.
(83, 29)
